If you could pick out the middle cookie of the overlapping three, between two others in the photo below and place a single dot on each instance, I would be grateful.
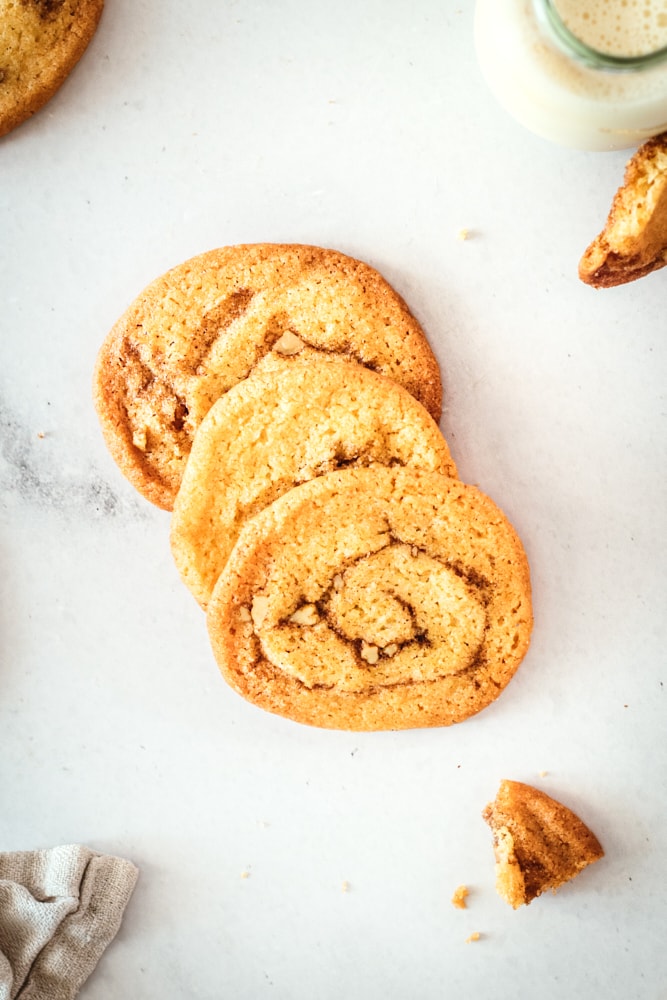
(293, 419)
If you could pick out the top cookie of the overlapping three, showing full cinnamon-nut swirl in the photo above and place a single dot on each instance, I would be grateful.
(374, 599)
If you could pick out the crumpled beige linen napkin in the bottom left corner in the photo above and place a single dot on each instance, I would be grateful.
(59, 909)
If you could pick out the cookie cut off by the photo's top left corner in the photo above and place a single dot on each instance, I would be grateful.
(40, 43)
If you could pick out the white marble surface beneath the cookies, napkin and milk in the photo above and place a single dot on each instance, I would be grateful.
(366, 127)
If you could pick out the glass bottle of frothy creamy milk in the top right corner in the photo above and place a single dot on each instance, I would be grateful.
(591, 74)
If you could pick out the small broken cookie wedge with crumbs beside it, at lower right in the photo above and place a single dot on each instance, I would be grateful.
(539, 843)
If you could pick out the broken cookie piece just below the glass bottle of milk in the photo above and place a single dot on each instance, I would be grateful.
(634, 240)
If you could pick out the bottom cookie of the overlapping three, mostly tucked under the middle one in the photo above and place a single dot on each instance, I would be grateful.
(202, 328)
